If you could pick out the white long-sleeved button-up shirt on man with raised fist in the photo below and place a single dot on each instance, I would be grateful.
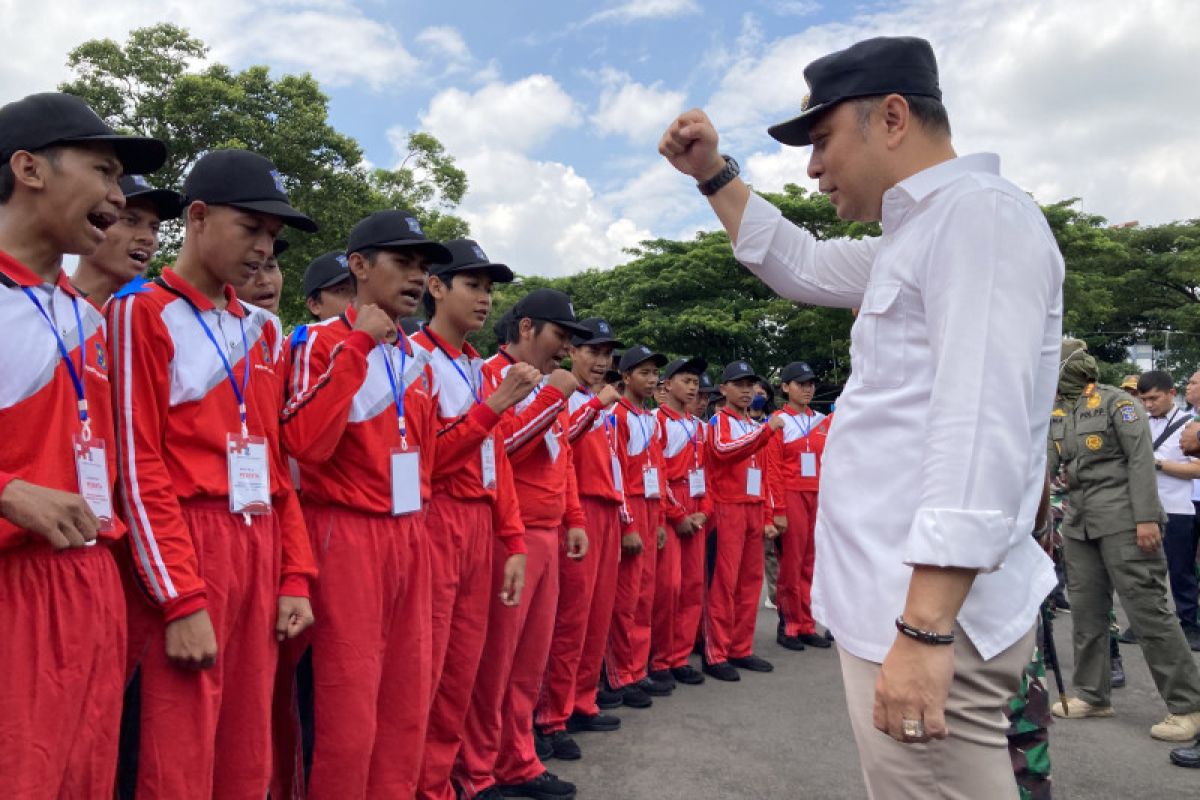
(938, 453)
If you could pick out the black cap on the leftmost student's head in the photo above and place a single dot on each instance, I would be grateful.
(53, 118)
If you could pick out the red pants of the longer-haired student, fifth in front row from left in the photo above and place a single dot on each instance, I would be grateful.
(499, 747)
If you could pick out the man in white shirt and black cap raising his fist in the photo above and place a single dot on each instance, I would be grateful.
(934, 472)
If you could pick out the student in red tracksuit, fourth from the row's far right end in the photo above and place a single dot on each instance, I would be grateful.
(644, 533)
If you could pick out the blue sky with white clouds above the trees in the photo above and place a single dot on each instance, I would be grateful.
(555, 109)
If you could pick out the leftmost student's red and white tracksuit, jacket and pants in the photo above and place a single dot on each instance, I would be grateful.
(65, 603)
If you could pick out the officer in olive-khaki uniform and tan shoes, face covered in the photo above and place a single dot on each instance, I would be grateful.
(1113, 540)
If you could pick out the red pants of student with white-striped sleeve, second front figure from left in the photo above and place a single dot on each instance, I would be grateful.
(207, 733)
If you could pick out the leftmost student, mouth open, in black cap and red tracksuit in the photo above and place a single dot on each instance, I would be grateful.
(62, 605)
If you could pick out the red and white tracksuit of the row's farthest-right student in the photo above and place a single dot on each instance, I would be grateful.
(795, 476)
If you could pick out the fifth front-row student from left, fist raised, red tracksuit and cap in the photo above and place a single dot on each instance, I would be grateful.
(473, 503)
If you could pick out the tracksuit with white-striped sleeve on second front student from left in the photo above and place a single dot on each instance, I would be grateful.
(203, 732)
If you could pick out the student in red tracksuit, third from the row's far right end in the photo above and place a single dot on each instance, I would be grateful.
(680, 599)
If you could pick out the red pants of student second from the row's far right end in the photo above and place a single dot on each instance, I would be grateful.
(733, 607)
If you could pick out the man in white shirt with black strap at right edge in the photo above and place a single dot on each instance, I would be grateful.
(1177, 474)
